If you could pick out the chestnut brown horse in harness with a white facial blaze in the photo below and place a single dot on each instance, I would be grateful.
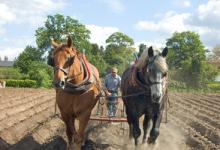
(77, 86)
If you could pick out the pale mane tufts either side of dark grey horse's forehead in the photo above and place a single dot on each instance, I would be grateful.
(159, 61)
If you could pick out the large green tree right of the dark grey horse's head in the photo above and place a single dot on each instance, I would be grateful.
(188, 54)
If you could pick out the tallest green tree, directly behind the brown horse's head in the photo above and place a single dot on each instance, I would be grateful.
(58, 28)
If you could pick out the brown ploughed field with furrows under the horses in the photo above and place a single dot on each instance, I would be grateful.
(28, 121)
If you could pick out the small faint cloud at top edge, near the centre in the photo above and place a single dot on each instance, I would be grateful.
(115, 5)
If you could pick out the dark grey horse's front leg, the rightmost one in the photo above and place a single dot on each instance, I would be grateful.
(157, 116)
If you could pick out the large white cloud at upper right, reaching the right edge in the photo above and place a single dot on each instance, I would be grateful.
(203, 21)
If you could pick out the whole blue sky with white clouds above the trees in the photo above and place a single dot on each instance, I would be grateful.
(146, 21)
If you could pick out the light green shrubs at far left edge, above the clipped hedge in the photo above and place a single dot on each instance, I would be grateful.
(11, 73)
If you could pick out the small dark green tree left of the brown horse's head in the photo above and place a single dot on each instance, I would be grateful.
(24, 60)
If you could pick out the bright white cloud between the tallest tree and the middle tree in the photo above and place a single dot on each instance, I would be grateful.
(100, 34)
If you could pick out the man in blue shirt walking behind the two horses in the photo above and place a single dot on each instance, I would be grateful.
(112, 84)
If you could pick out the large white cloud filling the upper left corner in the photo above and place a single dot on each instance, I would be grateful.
(27, 12)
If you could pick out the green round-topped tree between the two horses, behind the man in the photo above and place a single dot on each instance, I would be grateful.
(119, 51)
